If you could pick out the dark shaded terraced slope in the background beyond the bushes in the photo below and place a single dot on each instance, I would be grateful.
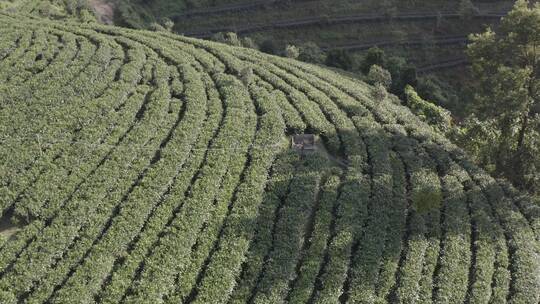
(411, 29)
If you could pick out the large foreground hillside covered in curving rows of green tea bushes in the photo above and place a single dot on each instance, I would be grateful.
(142, 167)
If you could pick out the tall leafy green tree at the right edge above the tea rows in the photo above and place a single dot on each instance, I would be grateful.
(506, 66)
